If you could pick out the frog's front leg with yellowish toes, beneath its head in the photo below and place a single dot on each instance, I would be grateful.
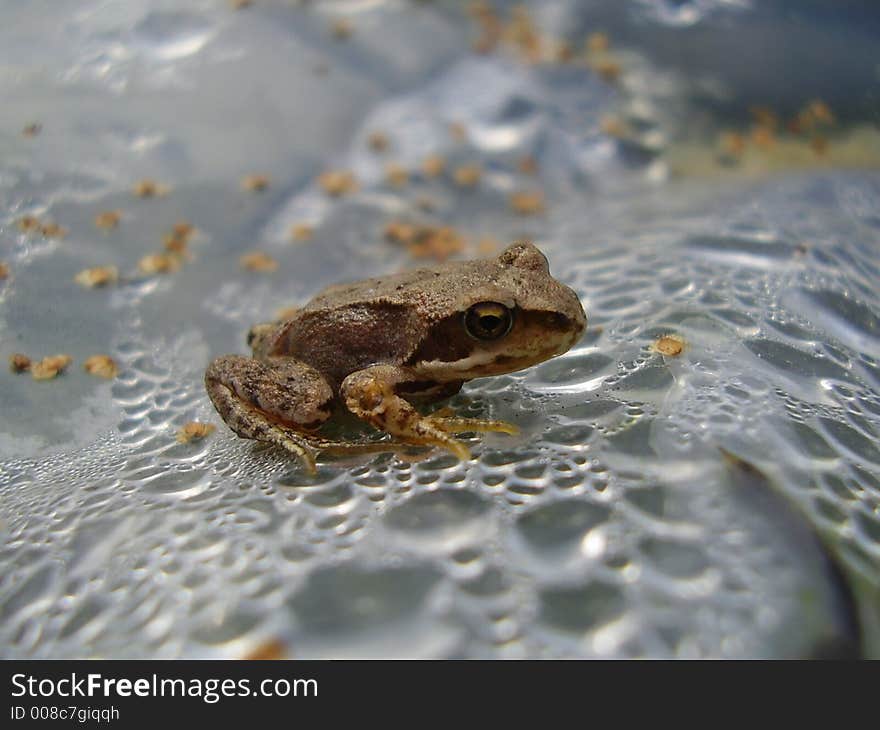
(372, 394)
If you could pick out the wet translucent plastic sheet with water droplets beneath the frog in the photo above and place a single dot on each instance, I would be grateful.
(615, 525)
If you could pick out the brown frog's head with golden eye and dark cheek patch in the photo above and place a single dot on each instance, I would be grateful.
(504, 314)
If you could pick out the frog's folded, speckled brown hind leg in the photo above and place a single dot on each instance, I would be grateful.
(270, 400)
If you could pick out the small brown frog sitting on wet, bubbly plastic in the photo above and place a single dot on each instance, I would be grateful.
(382, 348)
